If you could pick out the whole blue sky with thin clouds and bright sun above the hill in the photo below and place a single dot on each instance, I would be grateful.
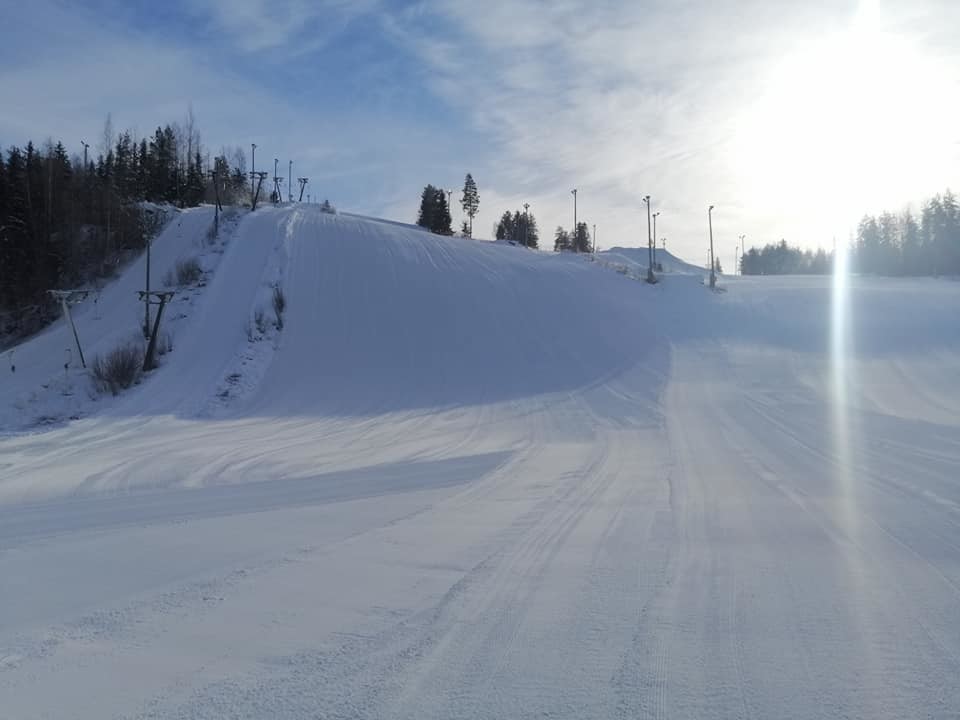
(792, 118)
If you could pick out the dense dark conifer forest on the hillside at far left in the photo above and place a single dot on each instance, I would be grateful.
(65, 221)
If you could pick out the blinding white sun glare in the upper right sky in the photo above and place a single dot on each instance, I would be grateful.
(857, 117)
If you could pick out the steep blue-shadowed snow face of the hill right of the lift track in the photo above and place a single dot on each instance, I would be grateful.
(383, 318)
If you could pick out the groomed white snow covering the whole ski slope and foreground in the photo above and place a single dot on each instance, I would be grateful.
(468, 480)
